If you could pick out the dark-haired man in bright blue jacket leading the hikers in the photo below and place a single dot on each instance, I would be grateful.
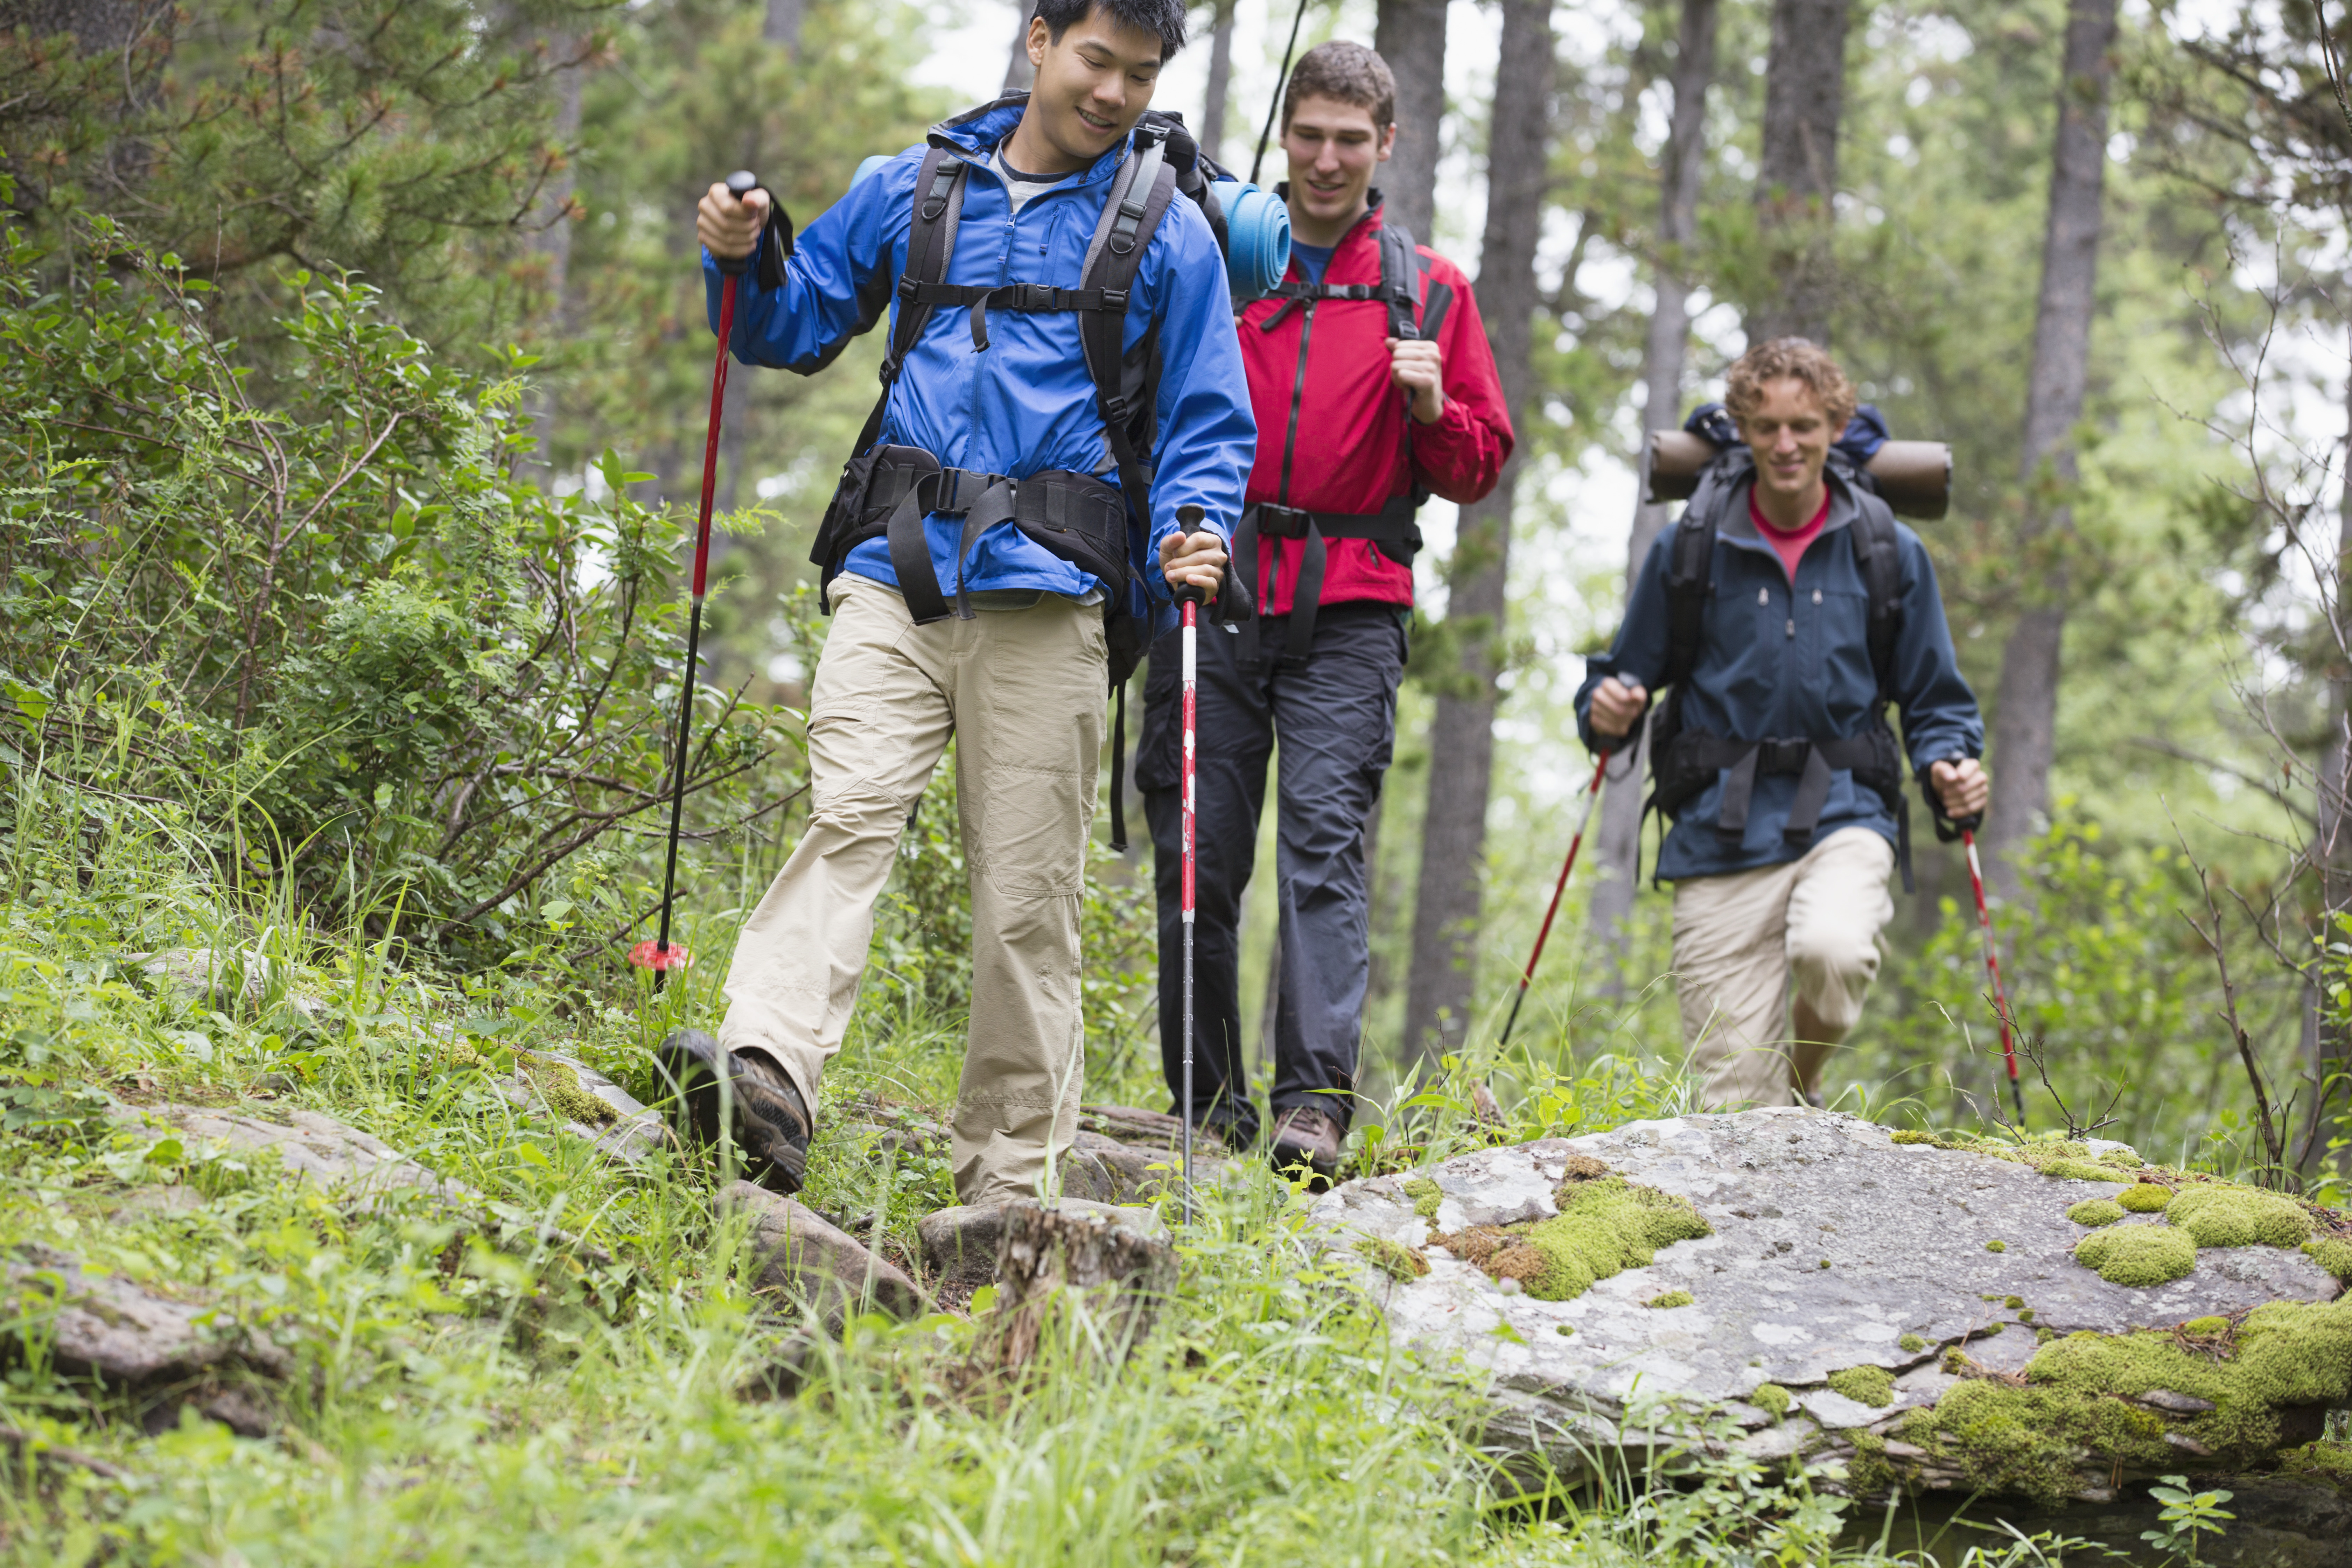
(991, 438)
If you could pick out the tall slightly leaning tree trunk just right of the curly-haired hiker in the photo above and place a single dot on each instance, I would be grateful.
(2026, 709)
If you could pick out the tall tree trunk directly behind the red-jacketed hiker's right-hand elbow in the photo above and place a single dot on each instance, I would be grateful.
(1462, 732)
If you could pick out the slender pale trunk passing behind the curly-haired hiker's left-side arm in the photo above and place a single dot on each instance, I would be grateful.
(1683, 170)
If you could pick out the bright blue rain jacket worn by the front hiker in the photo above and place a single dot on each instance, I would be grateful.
(1027, 403)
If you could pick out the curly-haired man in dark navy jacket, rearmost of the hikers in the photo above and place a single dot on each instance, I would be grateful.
(1772, 753)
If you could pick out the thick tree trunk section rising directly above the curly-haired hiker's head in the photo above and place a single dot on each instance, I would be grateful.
(1805, 93)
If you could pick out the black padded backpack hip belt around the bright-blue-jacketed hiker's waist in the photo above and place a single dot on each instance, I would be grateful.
(1074, 516)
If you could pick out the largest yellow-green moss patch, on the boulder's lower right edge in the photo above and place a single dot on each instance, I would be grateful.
(2078, 1412)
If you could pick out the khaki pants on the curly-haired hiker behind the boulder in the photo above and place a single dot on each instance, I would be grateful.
(1742, 939)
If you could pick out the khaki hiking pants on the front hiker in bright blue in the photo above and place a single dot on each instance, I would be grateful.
(1024, 692)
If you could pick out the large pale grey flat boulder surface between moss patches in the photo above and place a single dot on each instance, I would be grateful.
(1902, 1231)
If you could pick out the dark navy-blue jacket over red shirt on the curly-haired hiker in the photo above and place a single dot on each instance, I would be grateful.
(1786, 664)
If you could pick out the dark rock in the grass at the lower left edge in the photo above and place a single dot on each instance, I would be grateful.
(95, 1322)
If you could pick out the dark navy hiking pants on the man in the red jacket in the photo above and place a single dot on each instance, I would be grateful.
(1337, 721)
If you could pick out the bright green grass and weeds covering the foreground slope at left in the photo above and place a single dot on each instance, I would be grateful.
(580, 1379)
